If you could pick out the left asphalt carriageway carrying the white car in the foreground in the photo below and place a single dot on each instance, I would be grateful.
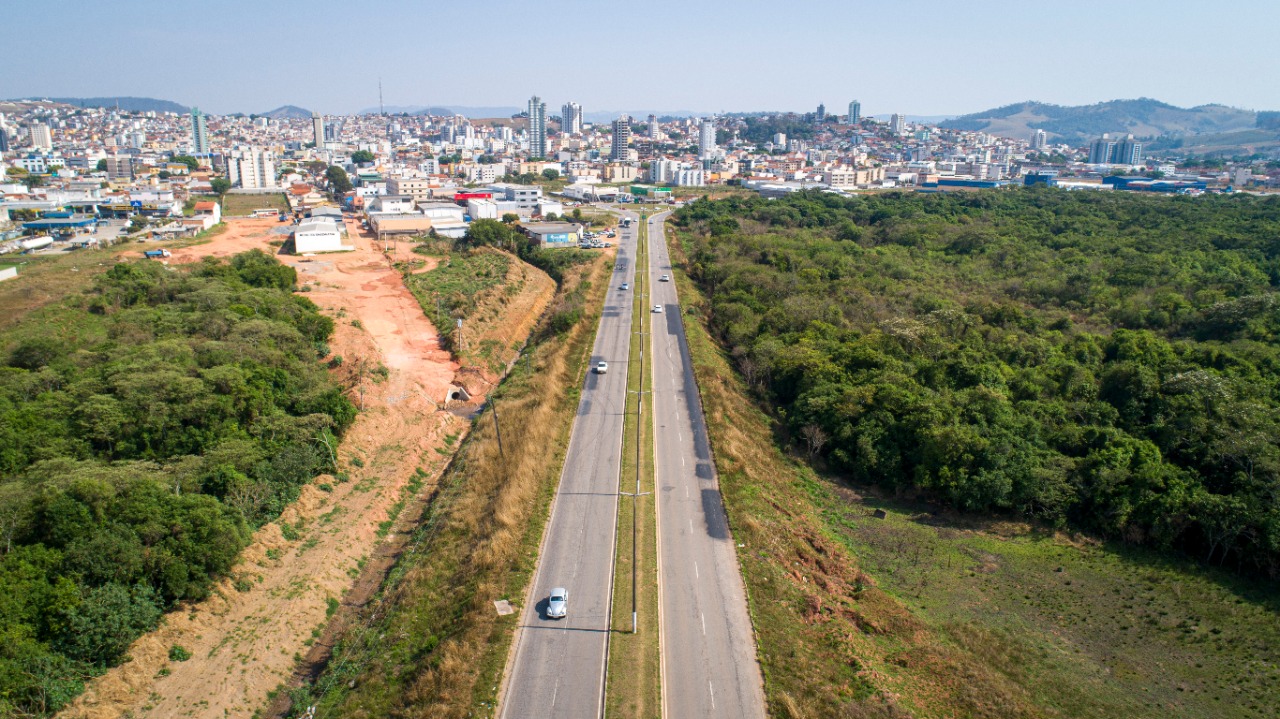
(559, 668)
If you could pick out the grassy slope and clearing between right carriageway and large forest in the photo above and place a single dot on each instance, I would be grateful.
(924, 615)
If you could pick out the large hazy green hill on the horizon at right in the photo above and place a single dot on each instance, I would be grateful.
(1078, 125)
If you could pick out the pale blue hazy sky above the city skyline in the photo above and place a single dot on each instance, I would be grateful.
(922, 57)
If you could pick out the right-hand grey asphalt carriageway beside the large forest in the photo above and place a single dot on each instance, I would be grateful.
(708, 652)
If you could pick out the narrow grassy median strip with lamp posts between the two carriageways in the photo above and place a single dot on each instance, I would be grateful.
(634, 683)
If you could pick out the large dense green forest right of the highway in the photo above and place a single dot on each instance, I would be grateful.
(1100, 360)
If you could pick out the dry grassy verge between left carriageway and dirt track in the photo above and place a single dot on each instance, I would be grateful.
(432, 644)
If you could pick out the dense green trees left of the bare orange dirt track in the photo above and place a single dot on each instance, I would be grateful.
(147, 428)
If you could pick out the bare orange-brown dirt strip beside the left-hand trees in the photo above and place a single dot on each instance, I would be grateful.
(249, 638)
